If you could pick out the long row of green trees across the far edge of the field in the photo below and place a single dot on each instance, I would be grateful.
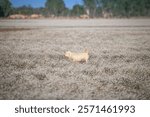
(93, 8)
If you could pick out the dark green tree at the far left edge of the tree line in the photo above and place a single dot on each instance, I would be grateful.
(5, 8)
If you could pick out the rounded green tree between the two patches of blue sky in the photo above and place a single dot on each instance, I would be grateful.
(55, 7)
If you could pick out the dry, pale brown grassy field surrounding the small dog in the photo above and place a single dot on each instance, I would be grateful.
(33, 66)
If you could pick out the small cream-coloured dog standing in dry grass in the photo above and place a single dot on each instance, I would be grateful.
(78, 57)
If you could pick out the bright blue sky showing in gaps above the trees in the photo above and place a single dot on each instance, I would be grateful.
(41, 3)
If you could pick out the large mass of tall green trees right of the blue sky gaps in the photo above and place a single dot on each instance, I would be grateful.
(122, 8)
